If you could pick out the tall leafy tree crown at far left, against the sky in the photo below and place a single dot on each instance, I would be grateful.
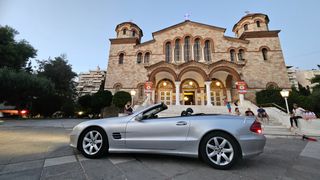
(14, 54)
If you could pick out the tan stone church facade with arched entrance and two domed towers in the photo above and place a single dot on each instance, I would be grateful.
(198, 54)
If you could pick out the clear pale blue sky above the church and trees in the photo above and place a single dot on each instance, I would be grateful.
(81, 29)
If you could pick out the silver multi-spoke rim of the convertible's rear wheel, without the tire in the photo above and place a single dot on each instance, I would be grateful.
(220, 151)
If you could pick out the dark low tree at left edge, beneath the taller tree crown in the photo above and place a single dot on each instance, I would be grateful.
(21, 88)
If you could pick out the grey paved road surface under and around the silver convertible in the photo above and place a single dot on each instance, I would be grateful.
(40, 150)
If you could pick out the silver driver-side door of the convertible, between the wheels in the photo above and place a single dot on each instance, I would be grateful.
(157, 133)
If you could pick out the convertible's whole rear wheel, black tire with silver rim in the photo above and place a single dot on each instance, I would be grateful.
(229, 150)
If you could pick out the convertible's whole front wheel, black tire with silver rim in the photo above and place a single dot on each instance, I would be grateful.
(102, 148)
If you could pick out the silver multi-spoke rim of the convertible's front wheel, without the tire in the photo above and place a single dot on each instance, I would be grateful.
(92, 142)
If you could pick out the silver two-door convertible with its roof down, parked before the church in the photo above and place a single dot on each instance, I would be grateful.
(220, 140)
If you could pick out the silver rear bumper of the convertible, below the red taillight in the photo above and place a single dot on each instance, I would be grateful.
(252, 145)
